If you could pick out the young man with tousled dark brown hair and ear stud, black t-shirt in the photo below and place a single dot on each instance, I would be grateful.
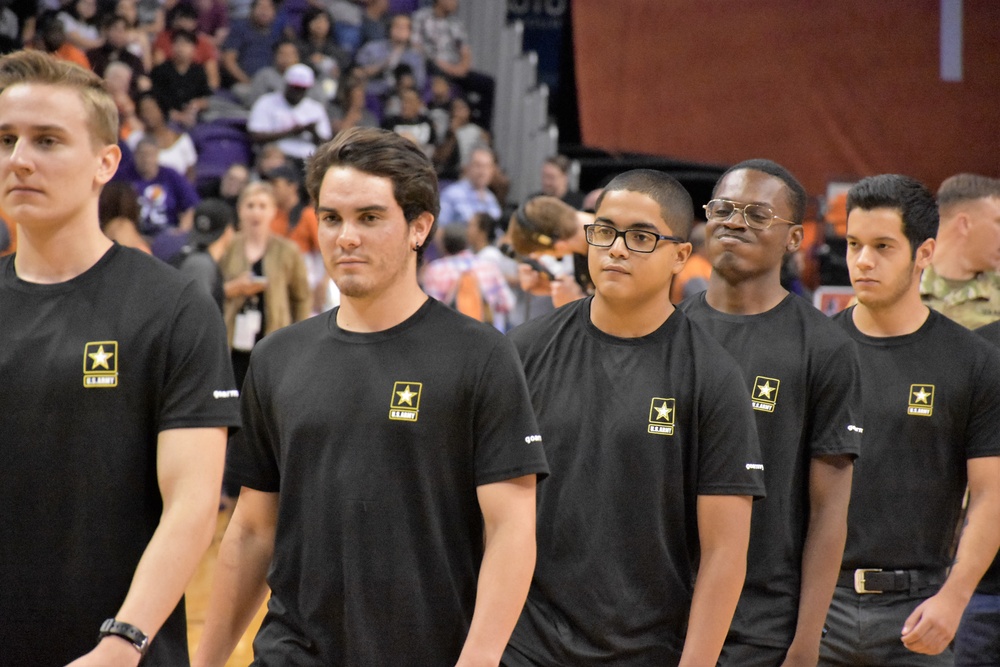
(389, 452)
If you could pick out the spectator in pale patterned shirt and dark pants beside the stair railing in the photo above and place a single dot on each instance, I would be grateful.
(445, 44)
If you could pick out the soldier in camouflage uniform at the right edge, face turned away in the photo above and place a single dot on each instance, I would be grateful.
(963, 280)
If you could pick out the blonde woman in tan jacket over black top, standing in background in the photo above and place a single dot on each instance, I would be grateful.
(266, 282)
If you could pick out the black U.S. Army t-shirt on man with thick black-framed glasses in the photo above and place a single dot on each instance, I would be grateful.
(635, 430)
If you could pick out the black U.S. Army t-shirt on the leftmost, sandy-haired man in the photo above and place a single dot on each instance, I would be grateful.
(93, 369)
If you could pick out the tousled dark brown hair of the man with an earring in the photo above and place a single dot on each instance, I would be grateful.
(384, 154)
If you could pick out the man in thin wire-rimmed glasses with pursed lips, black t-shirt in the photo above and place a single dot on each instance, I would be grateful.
(803, 374)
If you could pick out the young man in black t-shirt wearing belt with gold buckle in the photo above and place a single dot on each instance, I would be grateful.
(932, 412)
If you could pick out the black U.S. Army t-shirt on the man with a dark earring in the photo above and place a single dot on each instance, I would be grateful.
(376, 444)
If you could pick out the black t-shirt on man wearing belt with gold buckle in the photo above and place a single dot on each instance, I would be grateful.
(931, 401)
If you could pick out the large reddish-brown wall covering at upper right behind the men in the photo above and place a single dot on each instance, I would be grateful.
(832, 90)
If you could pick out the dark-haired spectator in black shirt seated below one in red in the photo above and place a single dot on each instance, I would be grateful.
(180, 84)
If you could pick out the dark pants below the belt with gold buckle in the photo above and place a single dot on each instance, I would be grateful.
(865, 631)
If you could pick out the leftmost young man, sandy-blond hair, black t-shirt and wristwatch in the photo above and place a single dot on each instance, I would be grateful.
(116, 395)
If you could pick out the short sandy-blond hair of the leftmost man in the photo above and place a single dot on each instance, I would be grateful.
(35, 67)
